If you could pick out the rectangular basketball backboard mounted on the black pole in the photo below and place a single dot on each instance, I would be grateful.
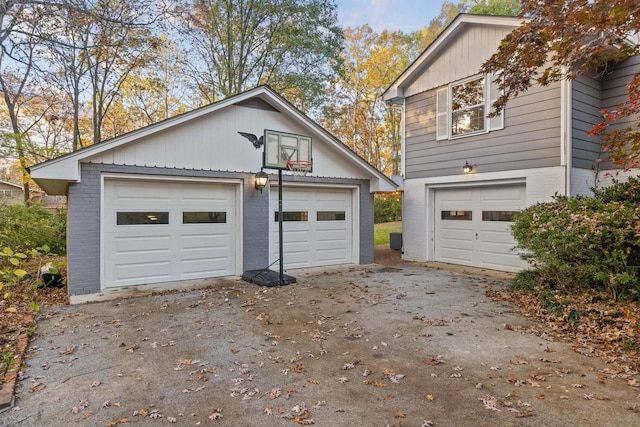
(281, 147)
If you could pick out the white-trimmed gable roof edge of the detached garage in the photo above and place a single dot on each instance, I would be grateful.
(55, 175)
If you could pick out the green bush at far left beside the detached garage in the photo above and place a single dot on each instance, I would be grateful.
(23, 228)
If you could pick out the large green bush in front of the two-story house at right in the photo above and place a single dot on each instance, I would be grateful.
(585, 242)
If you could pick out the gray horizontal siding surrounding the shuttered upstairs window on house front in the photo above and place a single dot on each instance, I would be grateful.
(530, 138)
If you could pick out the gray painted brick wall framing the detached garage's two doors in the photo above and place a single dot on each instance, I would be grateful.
(83, 247)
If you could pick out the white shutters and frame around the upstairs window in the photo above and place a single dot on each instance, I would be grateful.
(444, 113)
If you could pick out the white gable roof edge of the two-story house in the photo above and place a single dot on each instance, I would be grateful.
(395, 92)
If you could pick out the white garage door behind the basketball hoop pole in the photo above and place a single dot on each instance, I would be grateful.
(317, 227)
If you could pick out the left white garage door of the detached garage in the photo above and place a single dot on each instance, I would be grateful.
(166, 231)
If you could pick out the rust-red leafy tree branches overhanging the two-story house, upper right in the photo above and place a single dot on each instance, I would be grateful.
(563, 39)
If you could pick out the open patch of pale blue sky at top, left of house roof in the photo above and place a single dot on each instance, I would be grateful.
(405, 15)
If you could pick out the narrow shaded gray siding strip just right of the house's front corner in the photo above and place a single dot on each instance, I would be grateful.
(585, 113)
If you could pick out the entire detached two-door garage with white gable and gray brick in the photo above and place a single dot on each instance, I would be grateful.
(176, 201)
